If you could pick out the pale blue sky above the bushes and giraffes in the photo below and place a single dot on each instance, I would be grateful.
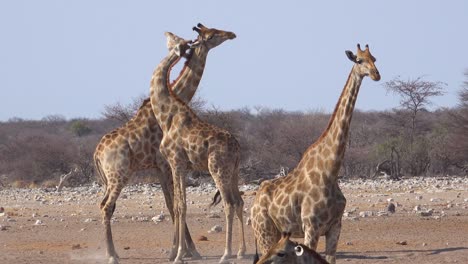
(73, 57)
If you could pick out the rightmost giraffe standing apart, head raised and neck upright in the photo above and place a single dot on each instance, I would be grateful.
(308, 201)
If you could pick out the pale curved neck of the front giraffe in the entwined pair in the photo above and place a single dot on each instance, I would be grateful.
(161, 100)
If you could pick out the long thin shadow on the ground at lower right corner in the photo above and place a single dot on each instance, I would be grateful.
(363, 255)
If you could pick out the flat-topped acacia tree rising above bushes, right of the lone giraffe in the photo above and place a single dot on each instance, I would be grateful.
(415, 96)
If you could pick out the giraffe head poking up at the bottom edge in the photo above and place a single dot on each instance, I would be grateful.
(290, 252)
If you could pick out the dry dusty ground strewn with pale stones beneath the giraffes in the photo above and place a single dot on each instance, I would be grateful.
(69, 228)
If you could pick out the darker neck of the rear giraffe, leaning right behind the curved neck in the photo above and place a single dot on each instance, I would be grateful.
(187, 83)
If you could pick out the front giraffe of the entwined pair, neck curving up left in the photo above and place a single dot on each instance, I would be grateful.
(190, 144)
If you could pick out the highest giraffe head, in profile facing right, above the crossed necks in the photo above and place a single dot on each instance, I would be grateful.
(211, 37)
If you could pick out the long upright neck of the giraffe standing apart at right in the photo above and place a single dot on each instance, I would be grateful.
(331, 145)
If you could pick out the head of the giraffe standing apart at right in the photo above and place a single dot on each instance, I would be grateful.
(365, 63)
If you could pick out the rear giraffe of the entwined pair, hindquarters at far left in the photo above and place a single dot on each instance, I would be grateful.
(135, 145)
